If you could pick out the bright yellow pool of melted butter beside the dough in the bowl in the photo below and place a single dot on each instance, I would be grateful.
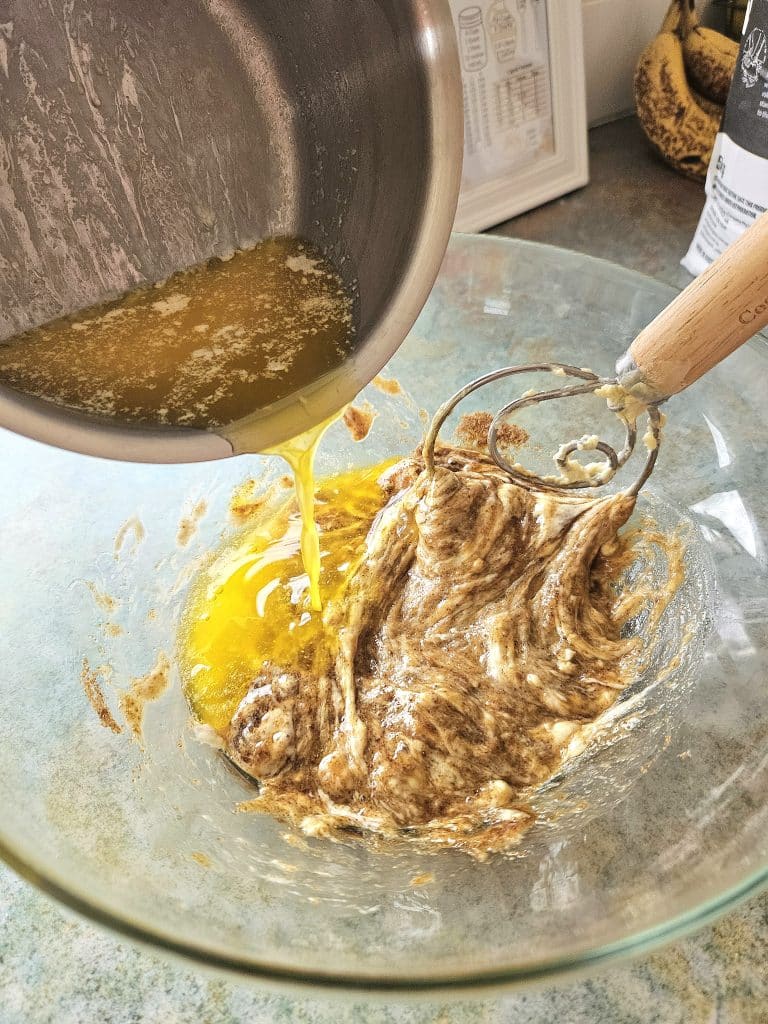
(254, 606)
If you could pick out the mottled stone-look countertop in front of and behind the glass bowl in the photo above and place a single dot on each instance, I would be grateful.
(59, 969)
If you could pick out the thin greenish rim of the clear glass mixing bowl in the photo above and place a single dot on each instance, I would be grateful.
(632, 946)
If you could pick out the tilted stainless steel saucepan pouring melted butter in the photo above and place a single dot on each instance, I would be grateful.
(139, 139)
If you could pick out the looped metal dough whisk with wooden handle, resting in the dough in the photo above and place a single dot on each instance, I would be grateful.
(713, 317)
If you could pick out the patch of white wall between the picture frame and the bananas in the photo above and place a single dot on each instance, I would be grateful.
(615, 34)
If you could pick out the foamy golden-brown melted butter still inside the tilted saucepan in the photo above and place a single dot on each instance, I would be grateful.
(204, 349)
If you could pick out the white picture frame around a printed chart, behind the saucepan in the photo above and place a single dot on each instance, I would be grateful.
(542, 177)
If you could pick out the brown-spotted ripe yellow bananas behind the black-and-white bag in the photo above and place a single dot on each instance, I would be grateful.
(681, 84)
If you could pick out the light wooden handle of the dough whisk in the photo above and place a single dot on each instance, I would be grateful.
(716, 314)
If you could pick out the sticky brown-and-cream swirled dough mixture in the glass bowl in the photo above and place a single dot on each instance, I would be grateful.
(484, 627)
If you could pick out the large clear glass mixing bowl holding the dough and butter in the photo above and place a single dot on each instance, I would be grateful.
(663, 823)
